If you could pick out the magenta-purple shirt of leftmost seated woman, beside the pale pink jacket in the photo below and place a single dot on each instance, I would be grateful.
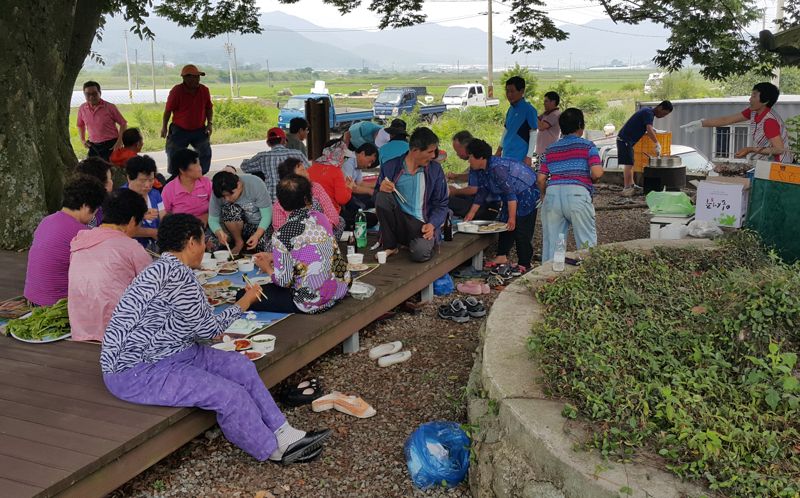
(46, 280)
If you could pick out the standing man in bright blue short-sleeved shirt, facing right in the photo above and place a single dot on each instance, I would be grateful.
(521, 127)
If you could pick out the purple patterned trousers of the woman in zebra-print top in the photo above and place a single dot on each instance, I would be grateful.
(203, 377)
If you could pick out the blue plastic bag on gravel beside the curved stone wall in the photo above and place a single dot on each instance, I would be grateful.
(437, 454)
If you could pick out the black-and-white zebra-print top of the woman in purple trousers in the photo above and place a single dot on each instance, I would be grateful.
(163, 312)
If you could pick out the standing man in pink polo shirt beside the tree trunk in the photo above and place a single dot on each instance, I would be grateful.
(101, 118)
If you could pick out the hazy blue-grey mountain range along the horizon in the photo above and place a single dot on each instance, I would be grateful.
(290, 42)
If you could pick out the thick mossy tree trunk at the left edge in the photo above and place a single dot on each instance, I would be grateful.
(45, 44)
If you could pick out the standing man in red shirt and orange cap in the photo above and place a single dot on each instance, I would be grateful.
(189, 105)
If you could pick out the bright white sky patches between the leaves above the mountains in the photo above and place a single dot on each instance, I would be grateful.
(464, 13)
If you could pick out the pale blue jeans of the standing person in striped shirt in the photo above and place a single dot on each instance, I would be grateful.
(566, 205)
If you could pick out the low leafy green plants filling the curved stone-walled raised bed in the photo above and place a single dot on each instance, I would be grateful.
(688, 354)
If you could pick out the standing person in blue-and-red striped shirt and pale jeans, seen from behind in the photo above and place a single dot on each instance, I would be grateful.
(567, 171)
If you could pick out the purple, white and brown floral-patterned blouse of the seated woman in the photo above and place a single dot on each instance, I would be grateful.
(308, 260)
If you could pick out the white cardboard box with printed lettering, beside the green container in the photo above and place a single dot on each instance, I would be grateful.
(723, 200)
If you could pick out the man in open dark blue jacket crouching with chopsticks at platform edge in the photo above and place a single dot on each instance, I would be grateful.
(411, 198)
